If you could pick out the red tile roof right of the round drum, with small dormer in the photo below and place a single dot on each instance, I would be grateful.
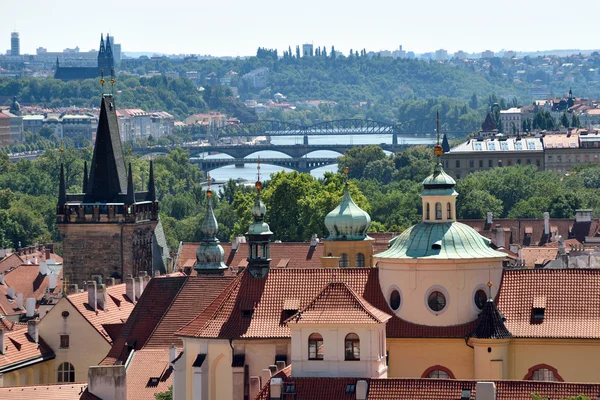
(571, 297)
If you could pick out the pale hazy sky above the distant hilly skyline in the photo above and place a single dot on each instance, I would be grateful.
(235, 27)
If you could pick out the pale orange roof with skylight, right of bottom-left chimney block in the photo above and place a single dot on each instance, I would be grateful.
(148, 364)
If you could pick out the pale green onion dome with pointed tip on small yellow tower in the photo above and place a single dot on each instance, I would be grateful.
(347, 221)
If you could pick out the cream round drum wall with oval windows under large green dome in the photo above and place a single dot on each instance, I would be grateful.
(458, 280)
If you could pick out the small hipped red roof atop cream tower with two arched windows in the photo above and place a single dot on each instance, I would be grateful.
(338, 304)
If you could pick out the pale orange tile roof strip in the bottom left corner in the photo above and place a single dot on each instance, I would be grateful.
(70, 391)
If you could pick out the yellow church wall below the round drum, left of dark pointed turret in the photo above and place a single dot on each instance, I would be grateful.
(410, 358)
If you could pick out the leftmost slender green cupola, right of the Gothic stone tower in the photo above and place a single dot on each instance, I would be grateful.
(210, 254)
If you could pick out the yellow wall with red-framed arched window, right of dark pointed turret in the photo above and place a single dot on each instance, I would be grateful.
(575, 360)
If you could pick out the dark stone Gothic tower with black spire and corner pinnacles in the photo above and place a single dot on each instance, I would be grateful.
(107, 230)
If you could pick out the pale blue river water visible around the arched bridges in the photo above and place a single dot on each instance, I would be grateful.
(248, 172)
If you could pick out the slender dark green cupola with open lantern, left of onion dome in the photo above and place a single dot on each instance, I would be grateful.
(258, 236)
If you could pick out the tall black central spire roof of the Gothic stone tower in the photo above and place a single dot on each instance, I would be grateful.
(107, 173)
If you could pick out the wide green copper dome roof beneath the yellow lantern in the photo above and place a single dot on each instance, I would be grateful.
(449, 240)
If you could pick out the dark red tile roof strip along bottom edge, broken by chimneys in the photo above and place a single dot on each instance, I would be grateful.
(427, 389)
